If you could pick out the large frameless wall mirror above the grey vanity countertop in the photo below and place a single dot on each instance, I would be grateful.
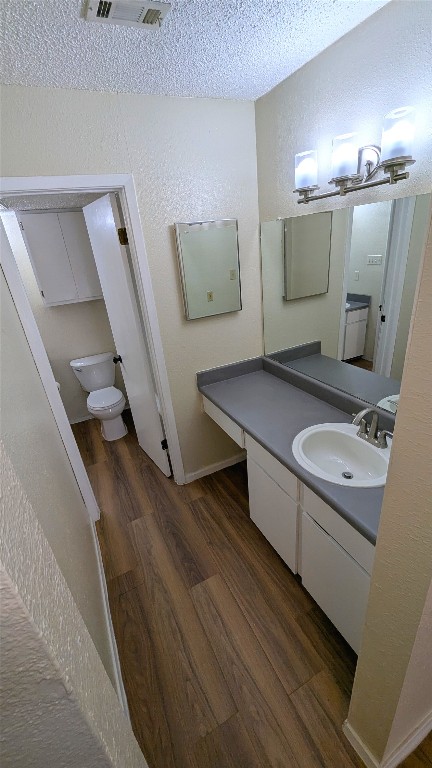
(364, 318)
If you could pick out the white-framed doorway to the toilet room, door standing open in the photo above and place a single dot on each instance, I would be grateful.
(77, 247)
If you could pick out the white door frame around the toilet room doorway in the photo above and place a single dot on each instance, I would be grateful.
(123, 185)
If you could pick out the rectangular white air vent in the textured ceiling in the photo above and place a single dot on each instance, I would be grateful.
(128, 13)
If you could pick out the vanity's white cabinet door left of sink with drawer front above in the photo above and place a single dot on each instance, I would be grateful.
(273, 495)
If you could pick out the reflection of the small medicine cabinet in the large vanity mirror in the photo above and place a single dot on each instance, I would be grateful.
(306, 255)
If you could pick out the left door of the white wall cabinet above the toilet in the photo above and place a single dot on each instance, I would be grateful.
(49, 257)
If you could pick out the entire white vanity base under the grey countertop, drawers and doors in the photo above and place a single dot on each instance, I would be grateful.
(333, 559)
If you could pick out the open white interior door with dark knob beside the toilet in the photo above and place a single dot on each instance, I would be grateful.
(115, 278)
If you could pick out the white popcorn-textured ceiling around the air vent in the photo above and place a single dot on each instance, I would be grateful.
(222, 49)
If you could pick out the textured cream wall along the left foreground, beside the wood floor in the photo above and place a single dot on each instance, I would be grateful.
(57, 657)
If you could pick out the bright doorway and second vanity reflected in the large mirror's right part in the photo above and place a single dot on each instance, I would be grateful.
(385, 246)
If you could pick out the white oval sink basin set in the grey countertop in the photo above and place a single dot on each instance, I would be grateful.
(333, 452)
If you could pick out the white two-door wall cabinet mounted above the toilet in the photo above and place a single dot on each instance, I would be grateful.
(61, 256)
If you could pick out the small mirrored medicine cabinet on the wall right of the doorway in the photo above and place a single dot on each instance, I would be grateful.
(209, 267)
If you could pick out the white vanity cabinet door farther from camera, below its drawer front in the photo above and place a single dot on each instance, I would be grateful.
(274, 513)
